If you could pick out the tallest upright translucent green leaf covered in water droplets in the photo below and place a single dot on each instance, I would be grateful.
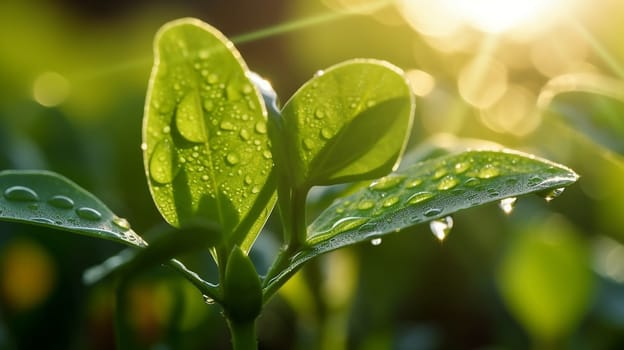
(206, 149)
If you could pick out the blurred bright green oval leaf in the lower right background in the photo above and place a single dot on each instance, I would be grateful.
(545, 279)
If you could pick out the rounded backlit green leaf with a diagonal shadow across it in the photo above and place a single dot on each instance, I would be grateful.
(349, 123)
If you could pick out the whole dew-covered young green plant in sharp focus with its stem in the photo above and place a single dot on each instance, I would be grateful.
(219, 154)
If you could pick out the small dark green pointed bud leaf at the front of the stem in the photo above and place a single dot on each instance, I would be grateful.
(241, 288)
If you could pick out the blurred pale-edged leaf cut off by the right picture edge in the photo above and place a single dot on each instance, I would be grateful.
(591, 104)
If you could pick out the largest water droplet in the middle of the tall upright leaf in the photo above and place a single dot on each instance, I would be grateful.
(190, 118)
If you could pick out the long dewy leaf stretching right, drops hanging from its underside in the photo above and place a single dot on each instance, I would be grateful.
(426, 191)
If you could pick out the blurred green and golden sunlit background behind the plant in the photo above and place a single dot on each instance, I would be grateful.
(543, 76)
